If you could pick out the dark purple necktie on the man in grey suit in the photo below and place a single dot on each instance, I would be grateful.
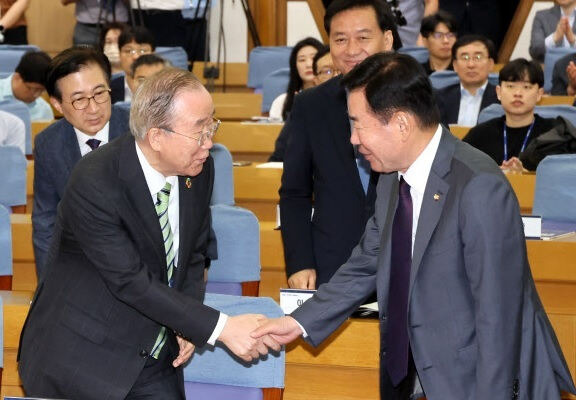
(397, 343)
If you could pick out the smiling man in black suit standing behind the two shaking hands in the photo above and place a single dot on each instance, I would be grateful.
(322, 171)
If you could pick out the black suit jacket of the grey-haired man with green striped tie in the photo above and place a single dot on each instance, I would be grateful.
(104, 297)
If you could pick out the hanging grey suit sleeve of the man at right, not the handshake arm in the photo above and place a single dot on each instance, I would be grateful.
(495, 264)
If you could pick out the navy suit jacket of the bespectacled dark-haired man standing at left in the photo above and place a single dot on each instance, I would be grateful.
(56, 151)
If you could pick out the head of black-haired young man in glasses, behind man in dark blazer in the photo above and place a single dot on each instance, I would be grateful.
(438, 36)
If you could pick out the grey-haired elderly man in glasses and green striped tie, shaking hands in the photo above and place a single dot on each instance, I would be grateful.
(119, 309)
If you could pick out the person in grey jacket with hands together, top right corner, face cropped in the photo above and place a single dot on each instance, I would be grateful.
(553, 27)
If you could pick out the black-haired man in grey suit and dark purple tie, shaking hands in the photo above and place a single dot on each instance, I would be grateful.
(460, 317)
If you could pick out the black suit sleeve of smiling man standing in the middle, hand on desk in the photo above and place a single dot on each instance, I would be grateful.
(296, 192)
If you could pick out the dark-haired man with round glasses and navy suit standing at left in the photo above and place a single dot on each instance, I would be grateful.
(78, 85)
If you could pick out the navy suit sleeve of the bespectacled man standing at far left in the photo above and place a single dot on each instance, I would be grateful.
(46, 200)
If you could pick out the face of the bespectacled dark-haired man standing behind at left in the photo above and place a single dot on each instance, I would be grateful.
(87, 82)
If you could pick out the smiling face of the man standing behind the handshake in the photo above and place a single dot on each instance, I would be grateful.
(355, 35)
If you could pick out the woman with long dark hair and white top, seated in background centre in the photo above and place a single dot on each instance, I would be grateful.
(301, 76)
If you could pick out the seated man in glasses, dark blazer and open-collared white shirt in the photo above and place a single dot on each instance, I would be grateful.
(473, 59)
